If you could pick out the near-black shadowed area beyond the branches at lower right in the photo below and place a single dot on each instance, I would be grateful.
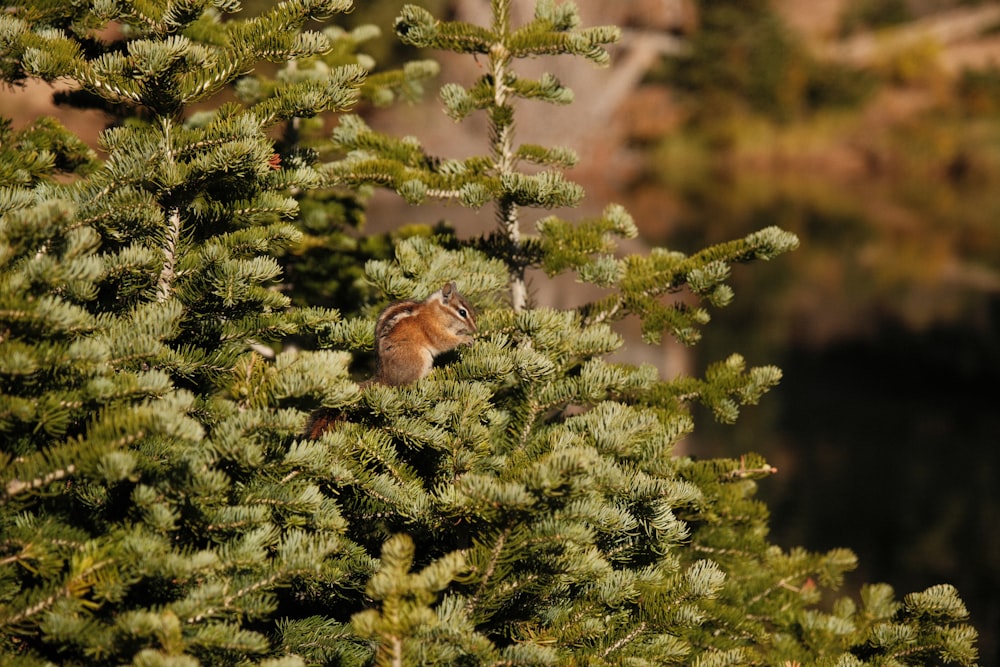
(890, 446)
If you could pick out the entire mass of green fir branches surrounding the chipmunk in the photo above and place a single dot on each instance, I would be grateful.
(521, 505)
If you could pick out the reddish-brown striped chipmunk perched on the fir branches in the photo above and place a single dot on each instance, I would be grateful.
(408, 335)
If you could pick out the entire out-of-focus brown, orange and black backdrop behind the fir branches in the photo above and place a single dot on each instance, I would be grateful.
(870, 128)
